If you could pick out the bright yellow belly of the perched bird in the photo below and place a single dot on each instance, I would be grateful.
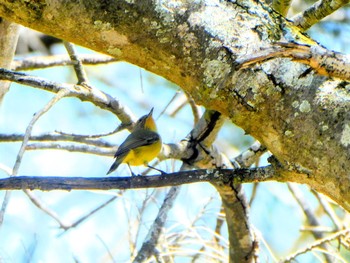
(143, 155)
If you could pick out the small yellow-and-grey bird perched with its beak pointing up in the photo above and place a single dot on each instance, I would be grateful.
(141, 146)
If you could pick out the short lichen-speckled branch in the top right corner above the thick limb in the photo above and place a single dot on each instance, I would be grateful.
(317, 12)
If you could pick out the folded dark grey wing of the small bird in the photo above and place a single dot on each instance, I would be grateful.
(137, 139)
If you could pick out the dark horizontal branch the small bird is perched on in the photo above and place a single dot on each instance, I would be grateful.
(215, 176)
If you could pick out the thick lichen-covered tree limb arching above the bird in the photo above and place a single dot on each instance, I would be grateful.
(301, 117)
